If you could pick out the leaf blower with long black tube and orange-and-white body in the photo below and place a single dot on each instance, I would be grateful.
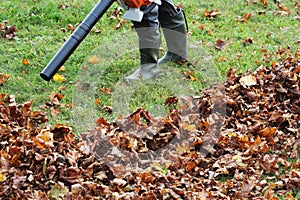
(132, 13)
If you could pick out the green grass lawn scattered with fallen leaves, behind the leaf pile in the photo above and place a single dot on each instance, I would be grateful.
(251, 35)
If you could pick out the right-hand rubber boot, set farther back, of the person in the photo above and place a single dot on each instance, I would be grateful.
(174, 31)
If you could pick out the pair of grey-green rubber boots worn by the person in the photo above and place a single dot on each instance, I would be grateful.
(174, 31)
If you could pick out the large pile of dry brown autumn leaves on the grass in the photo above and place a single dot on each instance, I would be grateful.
(239, 139)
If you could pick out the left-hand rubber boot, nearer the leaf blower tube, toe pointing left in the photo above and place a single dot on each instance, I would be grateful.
(149, 42)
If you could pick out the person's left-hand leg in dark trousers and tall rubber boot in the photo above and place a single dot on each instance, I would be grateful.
(149, 42)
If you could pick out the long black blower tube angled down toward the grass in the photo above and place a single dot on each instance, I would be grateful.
(75, 39)
